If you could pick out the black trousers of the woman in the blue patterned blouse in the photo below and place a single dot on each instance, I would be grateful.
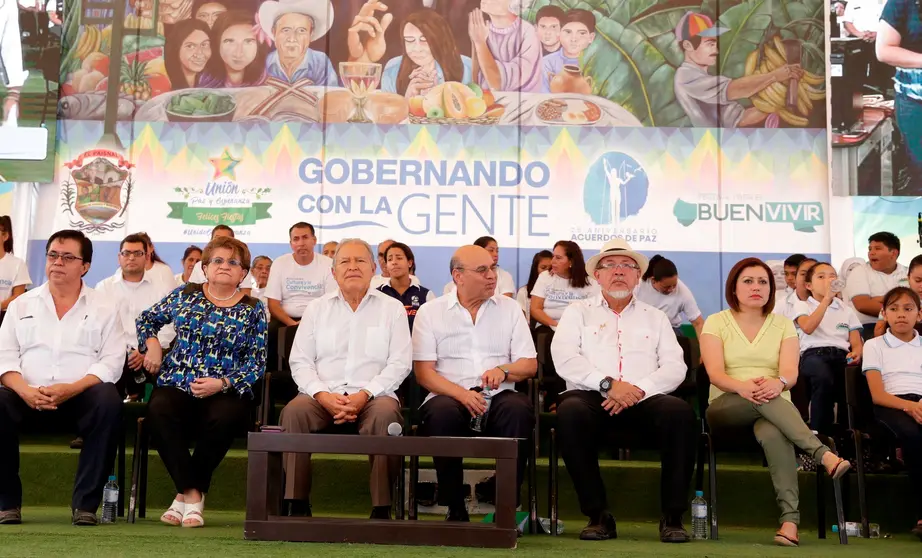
(176, 418)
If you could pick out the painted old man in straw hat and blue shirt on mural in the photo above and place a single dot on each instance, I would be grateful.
(293, 25)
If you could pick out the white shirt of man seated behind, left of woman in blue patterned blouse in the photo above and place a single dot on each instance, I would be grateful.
(134, 298)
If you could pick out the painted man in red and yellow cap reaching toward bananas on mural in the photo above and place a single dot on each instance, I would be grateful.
(710, 101)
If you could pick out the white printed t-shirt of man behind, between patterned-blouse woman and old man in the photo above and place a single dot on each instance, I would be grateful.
(295, 285)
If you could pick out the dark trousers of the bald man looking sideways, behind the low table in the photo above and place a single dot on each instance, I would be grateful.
(511, 415)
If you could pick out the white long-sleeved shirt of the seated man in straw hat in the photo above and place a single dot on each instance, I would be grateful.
(637, 346)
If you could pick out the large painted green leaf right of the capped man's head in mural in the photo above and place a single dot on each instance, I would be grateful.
(747, 23)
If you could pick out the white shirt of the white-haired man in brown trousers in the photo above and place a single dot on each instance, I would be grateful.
(339, 350)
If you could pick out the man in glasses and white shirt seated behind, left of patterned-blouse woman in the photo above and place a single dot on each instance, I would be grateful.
(134, 289)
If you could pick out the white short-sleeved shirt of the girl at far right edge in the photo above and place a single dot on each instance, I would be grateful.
(899, 363)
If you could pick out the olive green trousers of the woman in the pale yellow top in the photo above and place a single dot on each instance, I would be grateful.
(778, 427)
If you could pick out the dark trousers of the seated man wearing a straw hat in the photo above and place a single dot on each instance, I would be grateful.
(663, 420)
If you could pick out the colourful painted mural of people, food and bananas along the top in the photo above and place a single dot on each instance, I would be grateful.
(590, 63)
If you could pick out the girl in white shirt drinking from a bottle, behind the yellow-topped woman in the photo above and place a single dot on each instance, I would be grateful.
(830, 338)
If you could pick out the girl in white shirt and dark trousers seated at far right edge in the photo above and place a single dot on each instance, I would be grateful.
(893, 366)
